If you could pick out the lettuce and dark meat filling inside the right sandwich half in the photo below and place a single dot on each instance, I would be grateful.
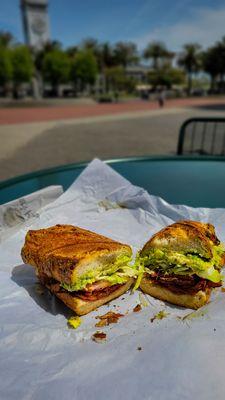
(184, 272)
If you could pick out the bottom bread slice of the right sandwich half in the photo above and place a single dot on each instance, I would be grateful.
(194, 301)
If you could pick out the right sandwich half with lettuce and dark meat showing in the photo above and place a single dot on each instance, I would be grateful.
(182, 264)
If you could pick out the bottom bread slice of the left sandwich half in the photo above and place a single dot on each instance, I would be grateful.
(82, 307)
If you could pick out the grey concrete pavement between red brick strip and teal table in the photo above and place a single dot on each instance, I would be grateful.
(33, 146)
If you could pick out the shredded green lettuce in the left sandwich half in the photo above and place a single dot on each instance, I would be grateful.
(116, 273)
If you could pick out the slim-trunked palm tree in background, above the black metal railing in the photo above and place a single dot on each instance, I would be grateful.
(190, 60)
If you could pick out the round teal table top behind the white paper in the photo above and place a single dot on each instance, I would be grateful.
(195, 181)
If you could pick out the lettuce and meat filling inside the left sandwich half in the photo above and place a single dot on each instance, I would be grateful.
(103, 279)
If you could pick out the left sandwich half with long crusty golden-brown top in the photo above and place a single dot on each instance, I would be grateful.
(82, 268)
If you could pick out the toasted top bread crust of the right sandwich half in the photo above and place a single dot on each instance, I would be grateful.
(184, 236)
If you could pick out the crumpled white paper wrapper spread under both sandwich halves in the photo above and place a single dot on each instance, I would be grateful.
(172, 358)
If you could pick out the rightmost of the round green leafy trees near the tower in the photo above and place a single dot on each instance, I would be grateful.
(84, 68)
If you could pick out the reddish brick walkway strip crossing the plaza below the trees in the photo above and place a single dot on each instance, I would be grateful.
(56, 113)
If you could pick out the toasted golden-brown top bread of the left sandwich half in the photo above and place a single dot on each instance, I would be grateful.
(65, 252)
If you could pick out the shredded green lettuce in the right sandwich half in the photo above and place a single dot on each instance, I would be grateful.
(172, 262)
